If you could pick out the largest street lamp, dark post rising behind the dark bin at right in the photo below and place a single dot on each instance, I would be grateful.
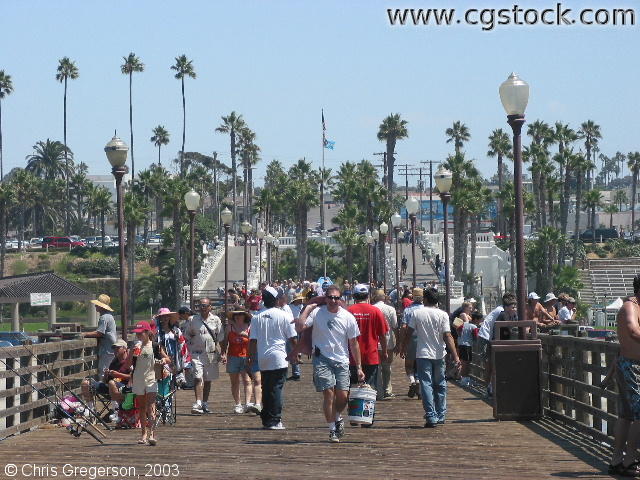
(514, 94)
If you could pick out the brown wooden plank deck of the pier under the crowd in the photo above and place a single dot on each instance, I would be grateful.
(472, 445)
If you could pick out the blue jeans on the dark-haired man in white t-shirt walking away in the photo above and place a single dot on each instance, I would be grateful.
(433, 387)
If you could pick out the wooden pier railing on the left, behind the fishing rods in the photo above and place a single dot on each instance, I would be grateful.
(21, 407)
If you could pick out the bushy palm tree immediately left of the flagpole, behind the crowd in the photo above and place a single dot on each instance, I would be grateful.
(303, 194)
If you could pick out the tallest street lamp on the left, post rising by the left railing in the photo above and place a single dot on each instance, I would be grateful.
(116, 151)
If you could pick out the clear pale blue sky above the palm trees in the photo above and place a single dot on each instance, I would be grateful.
(278, 63)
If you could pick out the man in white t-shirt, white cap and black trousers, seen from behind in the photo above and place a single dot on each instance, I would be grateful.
(270, 332)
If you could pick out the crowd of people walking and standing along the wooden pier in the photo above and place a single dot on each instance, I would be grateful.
(352, 336)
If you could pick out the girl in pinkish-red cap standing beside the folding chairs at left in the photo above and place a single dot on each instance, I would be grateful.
(145, 387)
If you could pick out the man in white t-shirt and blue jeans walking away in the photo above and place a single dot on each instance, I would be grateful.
(434, 336)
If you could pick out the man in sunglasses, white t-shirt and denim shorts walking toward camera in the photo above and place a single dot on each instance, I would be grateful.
(335, 331)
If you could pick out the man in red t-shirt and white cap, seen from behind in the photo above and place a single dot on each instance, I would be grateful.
(373, 328)
